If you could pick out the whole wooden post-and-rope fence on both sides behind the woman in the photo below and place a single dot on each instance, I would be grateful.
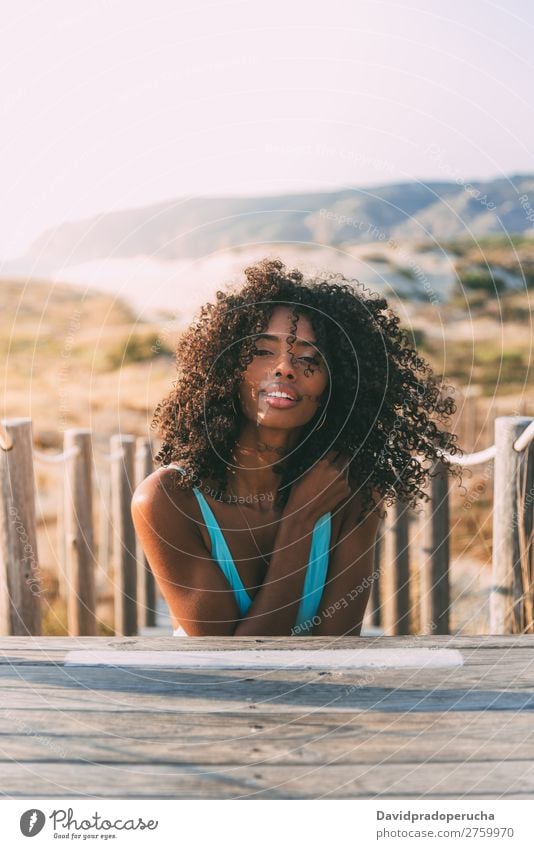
(427, 534)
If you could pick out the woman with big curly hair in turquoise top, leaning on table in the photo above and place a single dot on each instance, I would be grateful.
(300, 408)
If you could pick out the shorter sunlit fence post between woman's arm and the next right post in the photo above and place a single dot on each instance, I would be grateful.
(396, 583)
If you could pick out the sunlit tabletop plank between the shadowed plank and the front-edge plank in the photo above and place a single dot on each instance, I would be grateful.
(237, 742)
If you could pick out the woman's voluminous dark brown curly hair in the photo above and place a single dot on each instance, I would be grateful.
(384, 399)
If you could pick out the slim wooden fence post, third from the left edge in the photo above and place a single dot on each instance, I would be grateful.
(124, 544)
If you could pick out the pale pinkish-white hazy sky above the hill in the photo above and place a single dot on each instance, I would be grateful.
(112, 103)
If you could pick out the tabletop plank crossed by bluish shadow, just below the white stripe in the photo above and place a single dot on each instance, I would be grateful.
(216, 693)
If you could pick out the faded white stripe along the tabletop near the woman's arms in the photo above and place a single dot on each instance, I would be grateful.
(271, 659)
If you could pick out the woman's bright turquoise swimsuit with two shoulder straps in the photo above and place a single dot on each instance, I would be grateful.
(316, 570)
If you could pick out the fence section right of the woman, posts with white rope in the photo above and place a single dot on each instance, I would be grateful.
(427, 535)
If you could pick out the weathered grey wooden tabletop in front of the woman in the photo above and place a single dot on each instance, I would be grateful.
(159, 725)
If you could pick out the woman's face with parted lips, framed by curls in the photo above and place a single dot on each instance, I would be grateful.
(297, 369)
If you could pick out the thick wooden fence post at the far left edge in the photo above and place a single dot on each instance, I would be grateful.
(20, 574)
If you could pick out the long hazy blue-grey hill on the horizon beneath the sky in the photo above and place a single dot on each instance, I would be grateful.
(196, 227)
